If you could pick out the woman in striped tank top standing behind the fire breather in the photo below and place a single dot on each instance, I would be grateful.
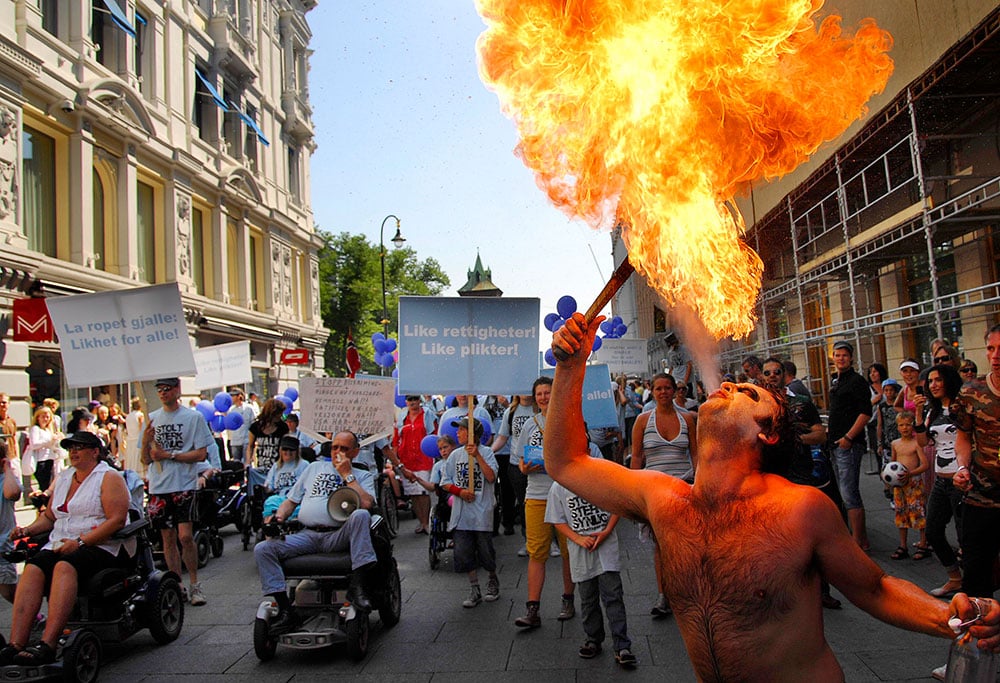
(663, 439)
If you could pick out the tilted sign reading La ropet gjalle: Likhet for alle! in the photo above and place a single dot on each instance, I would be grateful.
(122, 336)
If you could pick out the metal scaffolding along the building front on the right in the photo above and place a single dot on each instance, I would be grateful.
(894, 238)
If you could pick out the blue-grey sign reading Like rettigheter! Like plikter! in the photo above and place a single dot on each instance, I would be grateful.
(467, 345)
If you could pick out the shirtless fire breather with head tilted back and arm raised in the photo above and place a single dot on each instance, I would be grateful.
(743, 550)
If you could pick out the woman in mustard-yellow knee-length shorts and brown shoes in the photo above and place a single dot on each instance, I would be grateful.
(539, 532)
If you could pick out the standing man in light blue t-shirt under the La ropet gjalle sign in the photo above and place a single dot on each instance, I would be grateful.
(175, 440)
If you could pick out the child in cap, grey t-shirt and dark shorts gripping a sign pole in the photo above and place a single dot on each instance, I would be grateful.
(471, 520)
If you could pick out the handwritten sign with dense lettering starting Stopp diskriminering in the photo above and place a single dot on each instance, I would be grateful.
(333, 404)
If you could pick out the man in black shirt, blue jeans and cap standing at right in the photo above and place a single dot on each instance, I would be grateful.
(850, 411)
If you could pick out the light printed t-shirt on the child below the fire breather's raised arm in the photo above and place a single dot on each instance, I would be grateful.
(586, 519)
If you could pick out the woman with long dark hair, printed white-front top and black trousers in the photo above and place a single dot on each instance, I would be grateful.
(939, 428)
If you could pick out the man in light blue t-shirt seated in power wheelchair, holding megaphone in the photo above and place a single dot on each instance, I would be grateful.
(322, 534)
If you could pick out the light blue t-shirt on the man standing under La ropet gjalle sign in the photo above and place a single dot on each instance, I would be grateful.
(179, 431)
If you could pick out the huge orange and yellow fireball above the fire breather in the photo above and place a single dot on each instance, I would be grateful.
(657, 112)
